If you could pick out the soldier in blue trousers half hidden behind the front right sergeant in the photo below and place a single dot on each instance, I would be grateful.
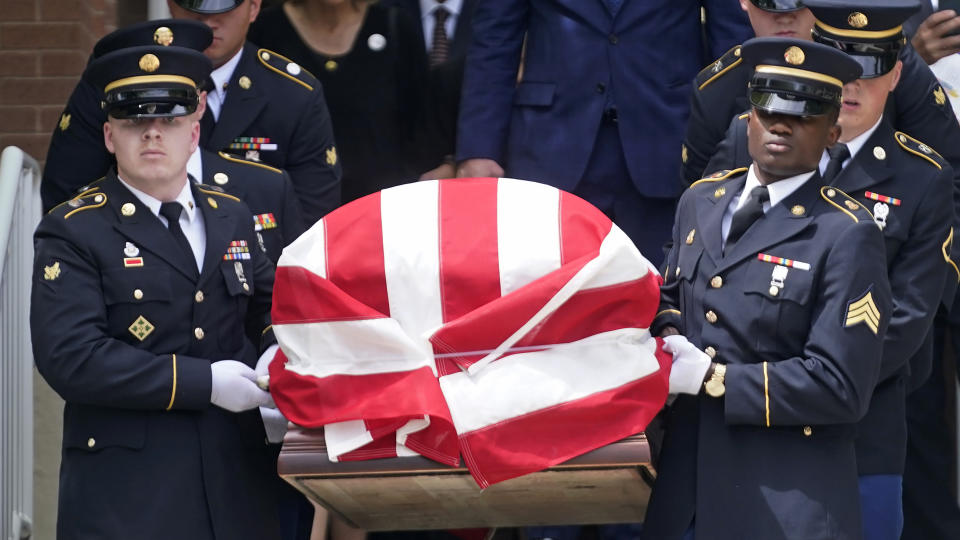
(908, 187)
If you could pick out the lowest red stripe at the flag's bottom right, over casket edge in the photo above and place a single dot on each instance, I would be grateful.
(541, 439)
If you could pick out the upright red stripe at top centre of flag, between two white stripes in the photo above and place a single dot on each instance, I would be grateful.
(464, 205)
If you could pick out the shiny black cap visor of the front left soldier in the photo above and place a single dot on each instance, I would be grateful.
(150, 102)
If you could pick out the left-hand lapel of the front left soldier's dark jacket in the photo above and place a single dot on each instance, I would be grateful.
(142, 227)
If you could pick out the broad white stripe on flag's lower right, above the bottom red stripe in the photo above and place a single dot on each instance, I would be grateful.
(527, 382)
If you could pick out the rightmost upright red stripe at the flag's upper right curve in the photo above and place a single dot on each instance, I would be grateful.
(582, 228)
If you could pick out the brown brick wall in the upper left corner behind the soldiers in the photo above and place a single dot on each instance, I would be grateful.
(44, 46)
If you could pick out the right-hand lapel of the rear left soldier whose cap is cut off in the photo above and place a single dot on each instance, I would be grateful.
(242, 104)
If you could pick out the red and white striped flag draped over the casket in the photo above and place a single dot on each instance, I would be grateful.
(499, 320)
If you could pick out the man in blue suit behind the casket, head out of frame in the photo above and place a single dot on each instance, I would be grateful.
(600, 103)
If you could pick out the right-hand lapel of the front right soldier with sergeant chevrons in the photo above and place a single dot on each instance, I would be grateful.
(777, 225)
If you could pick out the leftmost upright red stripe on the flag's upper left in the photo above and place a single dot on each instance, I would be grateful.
(353, 229)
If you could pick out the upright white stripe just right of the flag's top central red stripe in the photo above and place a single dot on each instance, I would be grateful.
(528, 232)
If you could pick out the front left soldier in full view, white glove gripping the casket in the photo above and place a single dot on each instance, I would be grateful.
(148, 295)
